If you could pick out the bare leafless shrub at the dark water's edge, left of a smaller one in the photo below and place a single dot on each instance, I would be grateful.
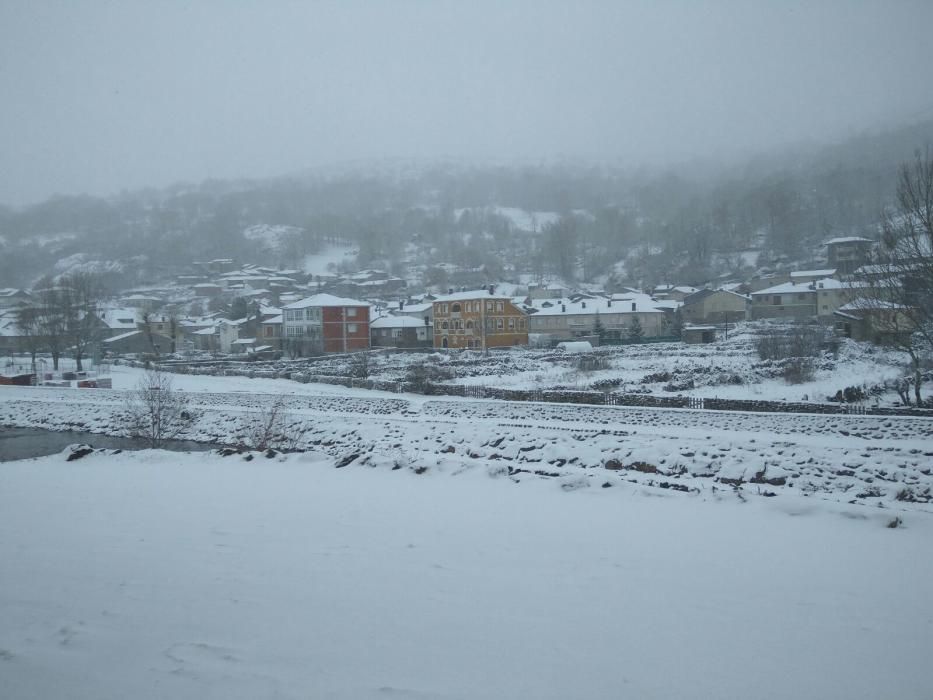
(155, 411)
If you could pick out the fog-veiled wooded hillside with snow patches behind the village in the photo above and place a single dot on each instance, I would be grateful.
(579, 221)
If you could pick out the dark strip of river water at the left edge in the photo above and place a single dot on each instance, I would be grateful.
(24, 443)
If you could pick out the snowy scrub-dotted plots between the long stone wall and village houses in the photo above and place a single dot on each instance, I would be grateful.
(728, 369)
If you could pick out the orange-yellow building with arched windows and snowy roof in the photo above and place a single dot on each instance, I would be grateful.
(478, 320)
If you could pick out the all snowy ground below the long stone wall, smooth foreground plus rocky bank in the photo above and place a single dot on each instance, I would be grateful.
(466, 549)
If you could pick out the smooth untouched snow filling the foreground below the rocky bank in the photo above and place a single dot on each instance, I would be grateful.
(159, 575)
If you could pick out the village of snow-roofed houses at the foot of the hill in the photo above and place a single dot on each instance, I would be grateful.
(290, 312)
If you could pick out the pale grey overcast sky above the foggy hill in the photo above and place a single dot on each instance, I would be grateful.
(101, 96)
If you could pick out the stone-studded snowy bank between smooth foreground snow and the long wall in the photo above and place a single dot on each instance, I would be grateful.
(878, 462)
